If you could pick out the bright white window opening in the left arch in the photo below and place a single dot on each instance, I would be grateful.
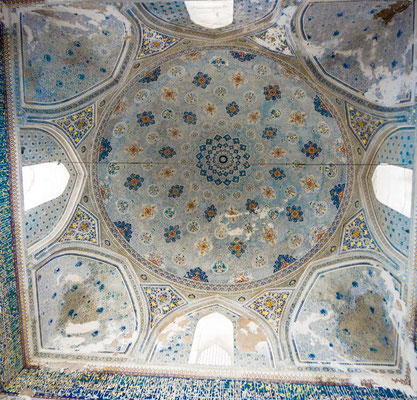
(43, 182)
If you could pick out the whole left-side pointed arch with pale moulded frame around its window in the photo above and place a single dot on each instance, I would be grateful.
(46, 145)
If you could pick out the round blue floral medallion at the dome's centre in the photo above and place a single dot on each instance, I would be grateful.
(223, 160)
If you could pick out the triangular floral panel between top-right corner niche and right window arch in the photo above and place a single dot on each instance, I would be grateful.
(363, 125)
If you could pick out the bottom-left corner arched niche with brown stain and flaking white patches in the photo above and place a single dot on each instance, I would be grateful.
(86, 323)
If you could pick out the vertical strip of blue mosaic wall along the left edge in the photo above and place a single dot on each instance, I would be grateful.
(10, 349)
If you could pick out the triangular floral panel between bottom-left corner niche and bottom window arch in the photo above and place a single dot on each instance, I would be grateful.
(162, 300)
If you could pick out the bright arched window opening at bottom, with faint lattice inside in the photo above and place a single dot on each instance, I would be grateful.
(213, 341)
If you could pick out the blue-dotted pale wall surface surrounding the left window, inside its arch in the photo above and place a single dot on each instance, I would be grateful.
(41, 147)
